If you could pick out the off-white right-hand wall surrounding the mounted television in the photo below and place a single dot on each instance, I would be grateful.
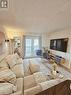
(57, 35)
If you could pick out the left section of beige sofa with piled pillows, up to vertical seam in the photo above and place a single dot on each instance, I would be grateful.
(11, 75)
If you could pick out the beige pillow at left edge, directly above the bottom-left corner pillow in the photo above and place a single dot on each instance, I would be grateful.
(7, 75)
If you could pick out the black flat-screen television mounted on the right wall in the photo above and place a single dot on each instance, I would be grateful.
(59, 44)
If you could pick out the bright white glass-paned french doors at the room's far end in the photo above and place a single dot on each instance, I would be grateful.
(31, 45)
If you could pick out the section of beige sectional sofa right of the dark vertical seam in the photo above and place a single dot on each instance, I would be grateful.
(36, 77)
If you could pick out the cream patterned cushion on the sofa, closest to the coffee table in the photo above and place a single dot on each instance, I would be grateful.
(39, 77)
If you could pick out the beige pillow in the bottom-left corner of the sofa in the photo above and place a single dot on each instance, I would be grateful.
(7, 88)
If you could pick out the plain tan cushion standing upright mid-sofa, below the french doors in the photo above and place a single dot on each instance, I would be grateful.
(34, 67)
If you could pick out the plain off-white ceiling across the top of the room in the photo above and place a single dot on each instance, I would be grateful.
(37, 15)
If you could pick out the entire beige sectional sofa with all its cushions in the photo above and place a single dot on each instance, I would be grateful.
(28, 77)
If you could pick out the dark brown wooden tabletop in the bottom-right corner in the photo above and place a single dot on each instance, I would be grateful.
(62, 88)
